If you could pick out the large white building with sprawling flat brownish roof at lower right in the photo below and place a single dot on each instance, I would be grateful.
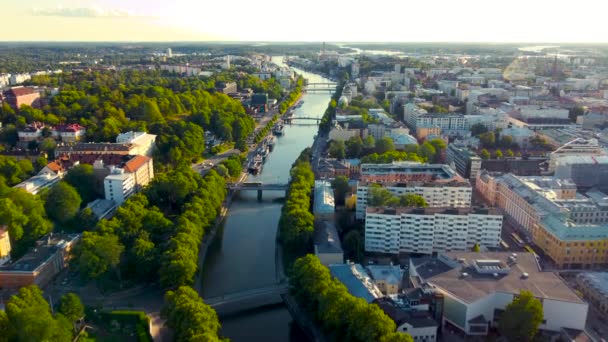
(477, 287)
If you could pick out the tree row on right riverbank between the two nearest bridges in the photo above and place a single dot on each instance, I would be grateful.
(296, 225)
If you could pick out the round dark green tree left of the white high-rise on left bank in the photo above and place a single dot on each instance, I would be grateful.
(62, 202)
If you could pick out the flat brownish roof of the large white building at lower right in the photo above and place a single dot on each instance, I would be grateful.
(447, 272)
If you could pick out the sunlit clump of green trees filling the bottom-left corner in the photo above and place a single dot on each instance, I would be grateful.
(29, 317)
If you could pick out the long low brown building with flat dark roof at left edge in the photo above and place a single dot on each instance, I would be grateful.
(41, 264)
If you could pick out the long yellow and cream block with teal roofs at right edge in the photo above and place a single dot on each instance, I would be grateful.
(570, 227)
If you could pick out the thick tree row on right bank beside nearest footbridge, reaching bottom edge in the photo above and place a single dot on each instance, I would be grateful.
(341, 315)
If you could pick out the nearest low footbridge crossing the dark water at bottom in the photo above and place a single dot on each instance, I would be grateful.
(233, 303)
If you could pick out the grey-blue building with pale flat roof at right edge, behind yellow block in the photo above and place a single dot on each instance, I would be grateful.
(585, 171)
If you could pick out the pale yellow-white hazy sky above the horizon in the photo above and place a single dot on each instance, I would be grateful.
(311, 20)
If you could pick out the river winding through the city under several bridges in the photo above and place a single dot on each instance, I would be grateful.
(242, 257)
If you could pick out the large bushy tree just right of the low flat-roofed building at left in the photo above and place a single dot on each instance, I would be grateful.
(98, 254)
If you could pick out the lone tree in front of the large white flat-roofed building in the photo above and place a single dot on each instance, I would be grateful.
(521, 318)
